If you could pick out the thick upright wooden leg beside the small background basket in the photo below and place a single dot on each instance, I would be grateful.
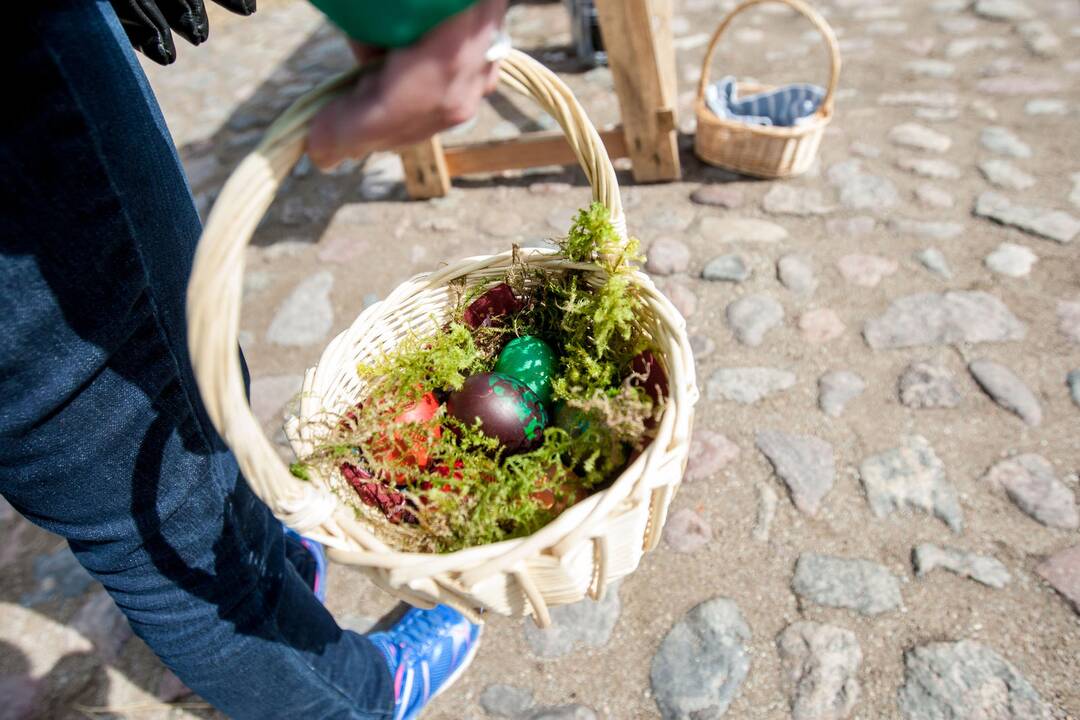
(639, 45)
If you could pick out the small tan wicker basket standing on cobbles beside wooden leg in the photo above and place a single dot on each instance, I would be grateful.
(763, 151)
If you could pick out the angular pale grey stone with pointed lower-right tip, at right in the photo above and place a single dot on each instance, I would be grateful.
(911, 477)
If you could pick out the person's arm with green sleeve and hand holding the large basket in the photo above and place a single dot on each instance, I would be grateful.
(433, 84)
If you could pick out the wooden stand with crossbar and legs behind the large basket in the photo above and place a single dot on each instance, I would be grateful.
(638, 39)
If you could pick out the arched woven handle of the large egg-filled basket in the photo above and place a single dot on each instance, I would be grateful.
(215, 289)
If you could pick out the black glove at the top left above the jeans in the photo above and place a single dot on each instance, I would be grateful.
(147, 23)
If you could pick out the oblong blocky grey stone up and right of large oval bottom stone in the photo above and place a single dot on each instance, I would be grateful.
(836, 582)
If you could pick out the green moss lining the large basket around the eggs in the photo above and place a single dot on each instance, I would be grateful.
(469, 493)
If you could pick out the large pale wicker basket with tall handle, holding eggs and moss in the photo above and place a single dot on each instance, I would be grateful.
(595, 542)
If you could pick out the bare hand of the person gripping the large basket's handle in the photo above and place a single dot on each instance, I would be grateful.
(418, 91)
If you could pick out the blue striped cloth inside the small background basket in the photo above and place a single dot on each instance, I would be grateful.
(787, 106)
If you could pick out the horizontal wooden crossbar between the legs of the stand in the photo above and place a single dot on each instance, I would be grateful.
(531, 151)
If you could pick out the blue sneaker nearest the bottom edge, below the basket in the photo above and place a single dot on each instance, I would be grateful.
(426, 651)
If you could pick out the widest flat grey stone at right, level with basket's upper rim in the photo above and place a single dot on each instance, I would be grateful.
(937, 319)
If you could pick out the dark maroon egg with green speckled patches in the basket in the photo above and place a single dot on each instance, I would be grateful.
(506, 407)
